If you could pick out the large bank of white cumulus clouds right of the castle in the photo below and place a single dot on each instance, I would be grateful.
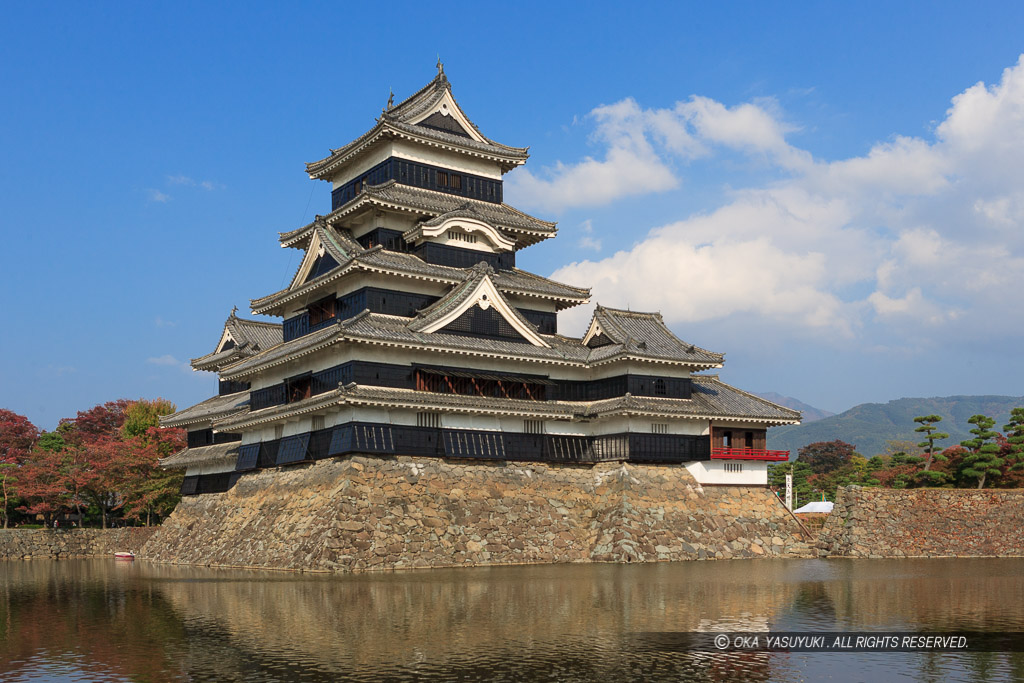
(917, 237)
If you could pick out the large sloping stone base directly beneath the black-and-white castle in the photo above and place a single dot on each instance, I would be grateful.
(367, 514)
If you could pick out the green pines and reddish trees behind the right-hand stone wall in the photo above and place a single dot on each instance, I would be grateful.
(990, 459)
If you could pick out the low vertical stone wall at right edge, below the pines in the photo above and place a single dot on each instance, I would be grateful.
(925, 523)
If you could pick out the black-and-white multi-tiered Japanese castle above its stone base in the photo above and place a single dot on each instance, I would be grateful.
(409, 330)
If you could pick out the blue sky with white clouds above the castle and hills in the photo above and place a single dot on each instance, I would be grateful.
(824, 193)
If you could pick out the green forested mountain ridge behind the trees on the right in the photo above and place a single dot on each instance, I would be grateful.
(869, 426)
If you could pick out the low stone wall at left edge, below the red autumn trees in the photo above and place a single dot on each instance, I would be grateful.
(29, 544)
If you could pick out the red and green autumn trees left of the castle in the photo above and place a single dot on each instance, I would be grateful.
(98, 468)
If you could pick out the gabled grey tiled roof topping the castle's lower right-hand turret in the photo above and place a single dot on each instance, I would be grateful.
(638, 334)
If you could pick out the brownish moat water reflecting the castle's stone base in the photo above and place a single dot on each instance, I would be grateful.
(109, 621)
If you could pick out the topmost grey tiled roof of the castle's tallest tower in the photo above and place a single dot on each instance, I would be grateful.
(399, 120)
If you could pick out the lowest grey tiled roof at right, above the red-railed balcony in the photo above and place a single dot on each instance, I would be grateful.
(711, 399)
